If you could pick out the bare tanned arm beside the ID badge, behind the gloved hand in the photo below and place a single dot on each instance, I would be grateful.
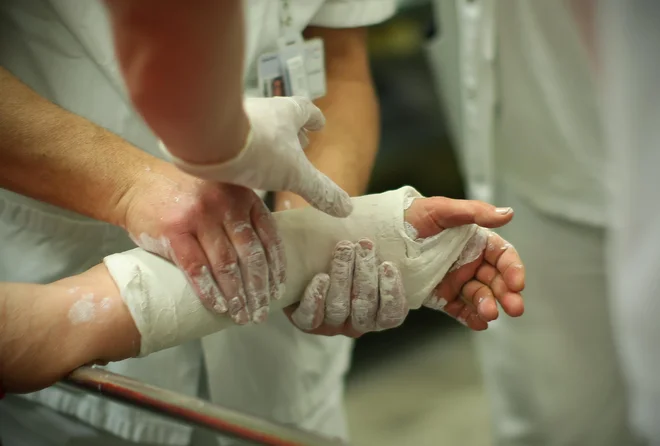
(346, 149)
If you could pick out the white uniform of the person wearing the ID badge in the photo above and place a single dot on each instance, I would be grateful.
(63, 50)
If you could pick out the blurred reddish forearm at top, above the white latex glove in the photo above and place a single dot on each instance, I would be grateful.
(183, 65)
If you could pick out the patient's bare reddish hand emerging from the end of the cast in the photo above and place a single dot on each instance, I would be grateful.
(489, 270)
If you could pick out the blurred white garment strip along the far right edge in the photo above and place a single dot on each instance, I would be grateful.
(631, 70)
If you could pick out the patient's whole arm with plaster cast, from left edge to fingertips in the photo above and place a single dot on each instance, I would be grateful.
(102, 315)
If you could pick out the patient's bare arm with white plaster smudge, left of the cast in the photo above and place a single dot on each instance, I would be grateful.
(47, 331)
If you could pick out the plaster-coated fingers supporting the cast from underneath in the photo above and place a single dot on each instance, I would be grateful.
(358, 296)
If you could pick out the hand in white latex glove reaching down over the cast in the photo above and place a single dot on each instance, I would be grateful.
(273, 158)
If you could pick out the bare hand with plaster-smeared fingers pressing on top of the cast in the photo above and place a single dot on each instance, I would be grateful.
(221, 236)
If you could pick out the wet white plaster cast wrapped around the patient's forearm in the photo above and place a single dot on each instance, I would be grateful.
(167, 312)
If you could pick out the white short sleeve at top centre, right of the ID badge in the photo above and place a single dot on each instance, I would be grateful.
(353, 13)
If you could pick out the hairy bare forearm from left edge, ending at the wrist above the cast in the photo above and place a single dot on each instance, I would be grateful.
(58, 157)
